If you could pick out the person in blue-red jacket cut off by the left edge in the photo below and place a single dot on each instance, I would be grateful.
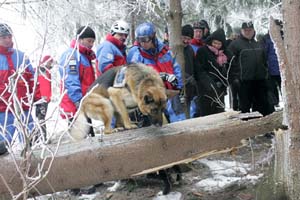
(17, 78)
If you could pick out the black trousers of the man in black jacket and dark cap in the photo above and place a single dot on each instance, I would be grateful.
(253, 94)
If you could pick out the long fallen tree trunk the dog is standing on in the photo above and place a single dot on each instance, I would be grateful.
(129, 153)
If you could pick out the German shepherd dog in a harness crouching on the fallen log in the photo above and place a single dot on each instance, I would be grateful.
(115, 93)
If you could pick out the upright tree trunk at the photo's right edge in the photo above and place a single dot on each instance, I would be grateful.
(290, 71)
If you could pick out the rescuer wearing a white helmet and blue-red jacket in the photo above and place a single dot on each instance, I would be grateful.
(111, 52)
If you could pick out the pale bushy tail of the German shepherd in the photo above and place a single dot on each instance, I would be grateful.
(80, 127)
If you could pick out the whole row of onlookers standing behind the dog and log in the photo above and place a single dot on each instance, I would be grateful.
(213, 64)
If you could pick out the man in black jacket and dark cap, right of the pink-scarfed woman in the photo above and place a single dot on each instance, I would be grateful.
(250, 71)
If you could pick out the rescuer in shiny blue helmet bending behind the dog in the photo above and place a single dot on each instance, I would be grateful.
(154, 53)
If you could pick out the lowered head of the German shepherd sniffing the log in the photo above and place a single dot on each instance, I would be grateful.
(152, 102)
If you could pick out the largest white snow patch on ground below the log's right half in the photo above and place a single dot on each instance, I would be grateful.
(225, 174)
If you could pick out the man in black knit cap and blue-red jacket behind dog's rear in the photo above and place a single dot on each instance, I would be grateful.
(76, 71)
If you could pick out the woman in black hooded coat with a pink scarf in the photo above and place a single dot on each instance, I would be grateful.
(211, 73)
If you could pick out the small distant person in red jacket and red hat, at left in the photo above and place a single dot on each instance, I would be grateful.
(44, 81)
